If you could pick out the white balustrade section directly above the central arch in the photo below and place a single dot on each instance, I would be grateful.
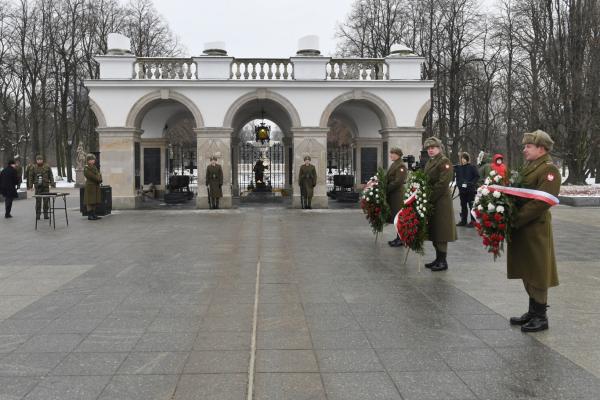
(261, 69)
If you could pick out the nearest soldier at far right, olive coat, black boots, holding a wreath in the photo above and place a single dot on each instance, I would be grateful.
(531, 248)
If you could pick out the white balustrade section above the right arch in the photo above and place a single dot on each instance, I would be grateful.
(362, 69)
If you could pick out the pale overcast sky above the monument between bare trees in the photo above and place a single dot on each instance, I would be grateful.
(254, 28)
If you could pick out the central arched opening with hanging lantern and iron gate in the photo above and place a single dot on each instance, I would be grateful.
(262, 169)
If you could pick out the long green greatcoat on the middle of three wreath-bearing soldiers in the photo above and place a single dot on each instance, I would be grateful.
(441, 224)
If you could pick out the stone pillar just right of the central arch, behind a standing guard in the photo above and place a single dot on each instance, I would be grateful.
(311, 142)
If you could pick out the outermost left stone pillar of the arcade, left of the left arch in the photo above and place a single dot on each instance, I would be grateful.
(117, 146)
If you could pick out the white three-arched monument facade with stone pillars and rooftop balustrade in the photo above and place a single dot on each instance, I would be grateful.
(382, 101)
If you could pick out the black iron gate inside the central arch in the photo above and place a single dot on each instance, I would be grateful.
(273, 158)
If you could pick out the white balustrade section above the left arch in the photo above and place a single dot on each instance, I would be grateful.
(164, 68)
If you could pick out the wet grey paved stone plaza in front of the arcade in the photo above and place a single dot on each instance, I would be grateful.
(160, 305)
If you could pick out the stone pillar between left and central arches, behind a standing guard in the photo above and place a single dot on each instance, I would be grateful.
(214, 141)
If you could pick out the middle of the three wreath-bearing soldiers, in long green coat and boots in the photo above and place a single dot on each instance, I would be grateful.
(441, 228)
